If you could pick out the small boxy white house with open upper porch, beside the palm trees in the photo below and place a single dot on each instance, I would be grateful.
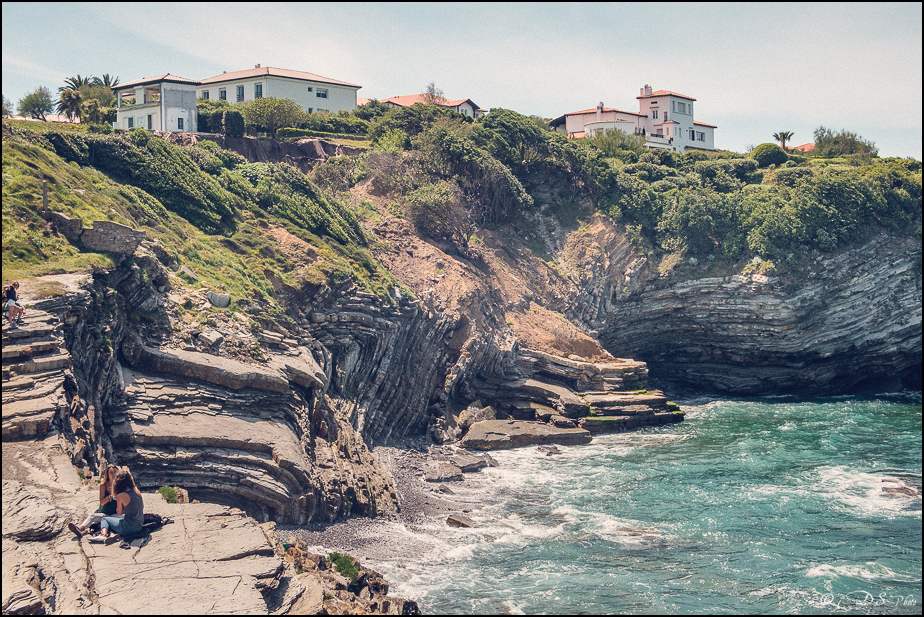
(162, 103)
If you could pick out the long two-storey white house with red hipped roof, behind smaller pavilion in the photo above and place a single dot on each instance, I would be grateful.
(312, 92)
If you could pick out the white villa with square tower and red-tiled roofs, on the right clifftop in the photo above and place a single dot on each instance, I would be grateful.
(664, 118)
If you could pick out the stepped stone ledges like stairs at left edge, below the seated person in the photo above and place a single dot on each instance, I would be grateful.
(34, 372)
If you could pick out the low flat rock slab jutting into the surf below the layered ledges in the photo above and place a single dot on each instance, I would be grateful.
(503, 434)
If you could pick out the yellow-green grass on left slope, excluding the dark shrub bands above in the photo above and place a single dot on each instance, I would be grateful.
(234, 263)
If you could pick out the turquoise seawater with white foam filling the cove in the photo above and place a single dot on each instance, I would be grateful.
(767, 506)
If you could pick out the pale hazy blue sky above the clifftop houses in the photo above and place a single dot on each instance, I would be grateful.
(754, 68)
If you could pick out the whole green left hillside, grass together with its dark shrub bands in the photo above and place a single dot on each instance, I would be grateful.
(206, 205)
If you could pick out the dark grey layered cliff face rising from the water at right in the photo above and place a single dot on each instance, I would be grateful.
(851, 322)
